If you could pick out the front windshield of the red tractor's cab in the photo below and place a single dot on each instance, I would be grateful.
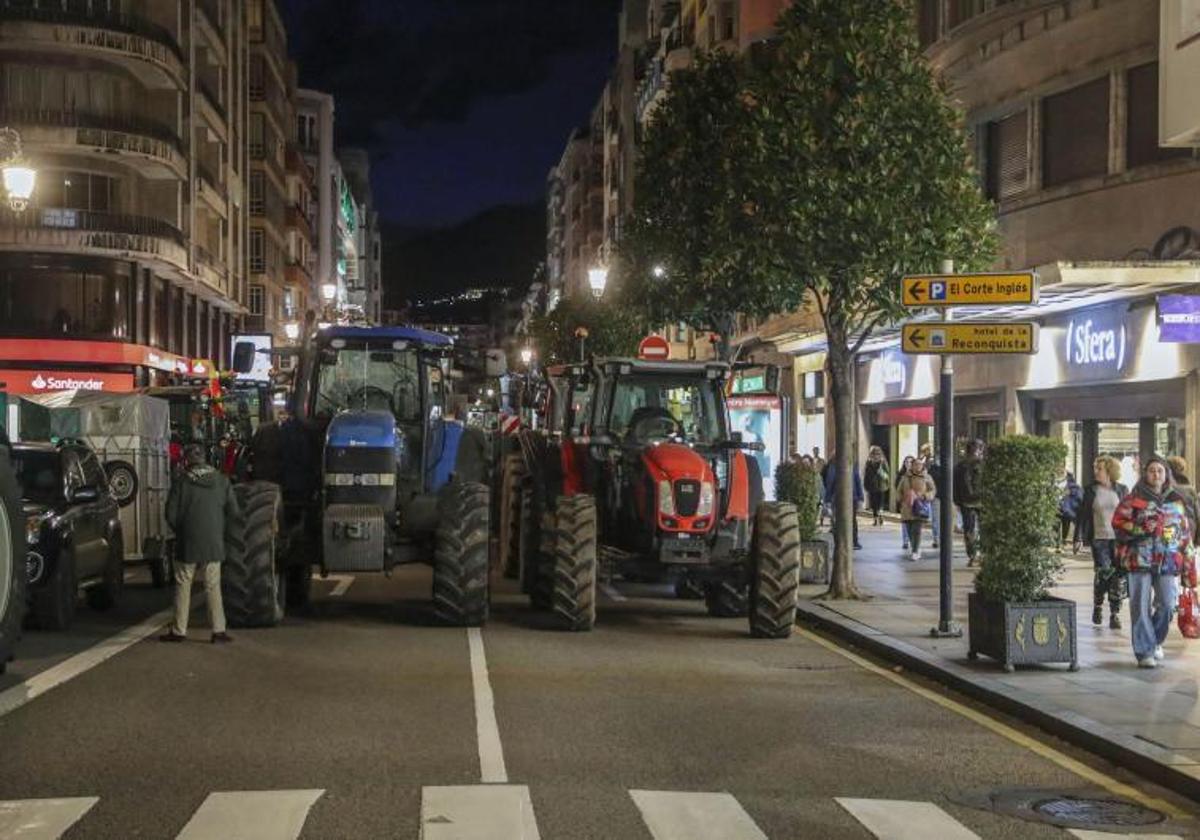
(644, 407)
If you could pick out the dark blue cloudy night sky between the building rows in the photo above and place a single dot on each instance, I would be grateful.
(465, 105)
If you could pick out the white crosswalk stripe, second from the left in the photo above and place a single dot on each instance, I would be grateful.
(251, 815)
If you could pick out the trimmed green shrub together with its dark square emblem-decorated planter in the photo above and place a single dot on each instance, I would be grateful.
(1012, 617)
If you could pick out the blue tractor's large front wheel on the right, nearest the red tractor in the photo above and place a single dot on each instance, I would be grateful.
(461, 557)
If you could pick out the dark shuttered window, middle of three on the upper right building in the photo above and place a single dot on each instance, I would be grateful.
(1076, 134)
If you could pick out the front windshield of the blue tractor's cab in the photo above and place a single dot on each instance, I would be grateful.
(363, 377)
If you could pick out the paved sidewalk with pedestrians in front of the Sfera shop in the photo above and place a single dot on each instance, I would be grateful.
(1145, 721)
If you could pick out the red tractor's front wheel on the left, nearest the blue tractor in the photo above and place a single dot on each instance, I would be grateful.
(574, 597)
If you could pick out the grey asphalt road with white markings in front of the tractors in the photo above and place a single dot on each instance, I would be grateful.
(353, 719)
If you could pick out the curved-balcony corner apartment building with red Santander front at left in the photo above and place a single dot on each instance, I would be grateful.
(129, 262)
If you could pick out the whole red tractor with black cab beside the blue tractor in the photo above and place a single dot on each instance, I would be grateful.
(637, 475)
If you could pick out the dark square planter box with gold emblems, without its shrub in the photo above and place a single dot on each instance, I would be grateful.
(1023, 634)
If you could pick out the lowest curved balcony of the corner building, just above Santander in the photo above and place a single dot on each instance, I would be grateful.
(88, 232)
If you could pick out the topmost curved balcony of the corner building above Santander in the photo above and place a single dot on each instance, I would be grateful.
(146, 49)
